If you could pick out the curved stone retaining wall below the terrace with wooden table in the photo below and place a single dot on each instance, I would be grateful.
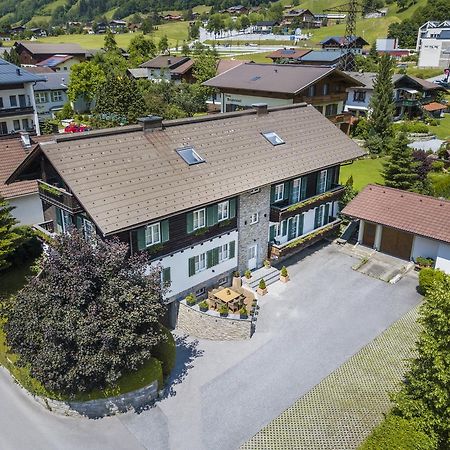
(206, 326)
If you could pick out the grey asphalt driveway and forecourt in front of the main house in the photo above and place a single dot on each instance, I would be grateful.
(225, 392)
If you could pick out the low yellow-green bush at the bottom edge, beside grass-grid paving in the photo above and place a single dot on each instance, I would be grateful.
(396, 433)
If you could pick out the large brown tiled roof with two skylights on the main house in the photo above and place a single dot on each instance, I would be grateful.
(127, 179)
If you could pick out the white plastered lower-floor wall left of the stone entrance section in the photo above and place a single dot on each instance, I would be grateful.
(178, 263)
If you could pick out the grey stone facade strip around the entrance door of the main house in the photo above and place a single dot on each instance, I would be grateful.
(257, 233)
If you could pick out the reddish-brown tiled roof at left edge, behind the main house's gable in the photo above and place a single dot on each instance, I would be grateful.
(12, 153)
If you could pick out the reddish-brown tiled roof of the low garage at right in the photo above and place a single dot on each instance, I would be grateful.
(403, 210)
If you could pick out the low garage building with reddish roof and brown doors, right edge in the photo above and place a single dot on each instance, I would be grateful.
(403, 224)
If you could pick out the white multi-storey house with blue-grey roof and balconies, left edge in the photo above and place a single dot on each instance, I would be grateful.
(18, 110)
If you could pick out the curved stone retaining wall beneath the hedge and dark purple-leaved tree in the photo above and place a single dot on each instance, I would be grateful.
(105, 406)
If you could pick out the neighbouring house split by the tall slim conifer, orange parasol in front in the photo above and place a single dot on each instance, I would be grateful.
(413, 96)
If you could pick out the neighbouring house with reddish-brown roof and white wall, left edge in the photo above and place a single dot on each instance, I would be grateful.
(23, 195)
